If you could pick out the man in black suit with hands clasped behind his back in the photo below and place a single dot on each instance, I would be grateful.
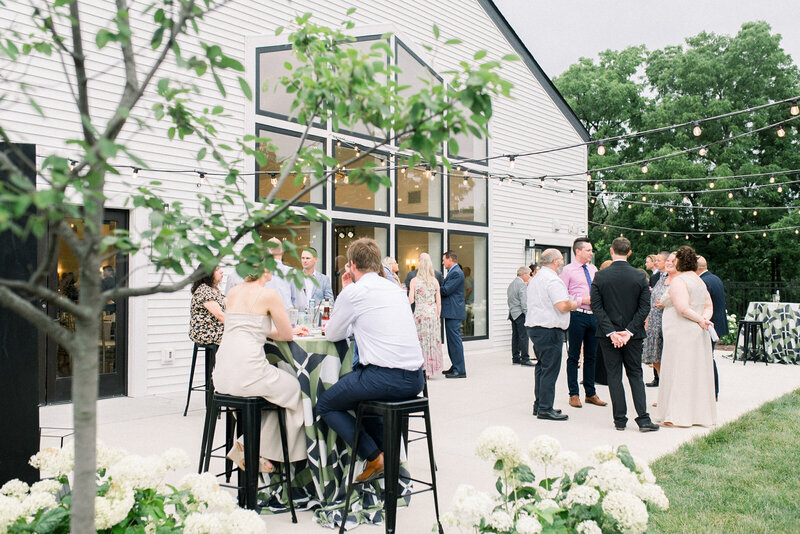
(620, 300)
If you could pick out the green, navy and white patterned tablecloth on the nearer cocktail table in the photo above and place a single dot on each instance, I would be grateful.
(320, 485)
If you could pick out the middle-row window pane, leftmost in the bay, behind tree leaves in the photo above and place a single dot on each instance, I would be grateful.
(283, 144)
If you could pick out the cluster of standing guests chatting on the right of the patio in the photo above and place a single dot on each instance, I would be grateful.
(616, 318)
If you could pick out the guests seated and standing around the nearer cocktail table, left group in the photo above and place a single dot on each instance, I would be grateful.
(395, 329)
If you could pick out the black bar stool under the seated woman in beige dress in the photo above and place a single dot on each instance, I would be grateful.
(248, 422)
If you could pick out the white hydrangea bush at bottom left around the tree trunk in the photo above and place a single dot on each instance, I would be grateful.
(132, 497)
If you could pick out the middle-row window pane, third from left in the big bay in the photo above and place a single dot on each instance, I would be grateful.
(419, 191)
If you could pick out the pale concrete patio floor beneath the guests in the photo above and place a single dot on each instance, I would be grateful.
(495, 393)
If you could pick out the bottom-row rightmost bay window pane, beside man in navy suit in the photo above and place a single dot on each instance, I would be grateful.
(472, 252)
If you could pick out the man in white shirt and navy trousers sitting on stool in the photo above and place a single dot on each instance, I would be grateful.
(390, 357)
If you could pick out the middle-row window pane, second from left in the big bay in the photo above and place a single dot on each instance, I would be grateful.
(354, 196)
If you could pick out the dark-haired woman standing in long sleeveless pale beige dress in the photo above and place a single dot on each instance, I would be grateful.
(686, 390)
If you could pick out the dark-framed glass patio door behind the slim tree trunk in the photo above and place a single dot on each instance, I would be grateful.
(112, 344)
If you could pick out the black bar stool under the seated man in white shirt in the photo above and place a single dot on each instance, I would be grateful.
(395, 418)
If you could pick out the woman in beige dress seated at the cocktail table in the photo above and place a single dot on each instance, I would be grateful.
(254, 313)
